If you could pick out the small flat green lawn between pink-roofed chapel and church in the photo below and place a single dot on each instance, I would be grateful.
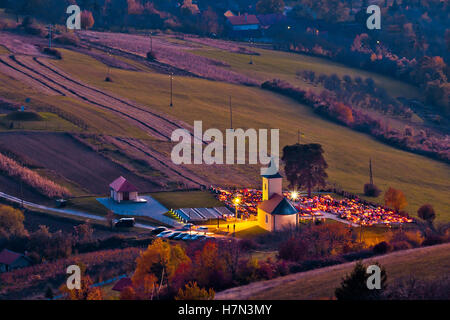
(189, 199)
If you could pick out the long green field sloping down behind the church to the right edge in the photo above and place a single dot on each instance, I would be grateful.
(347, 152)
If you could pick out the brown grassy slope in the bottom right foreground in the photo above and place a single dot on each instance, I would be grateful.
(422, 263)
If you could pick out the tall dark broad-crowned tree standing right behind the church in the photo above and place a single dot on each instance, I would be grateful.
(305, 166)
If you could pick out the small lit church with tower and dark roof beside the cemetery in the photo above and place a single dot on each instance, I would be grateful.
(275, 212)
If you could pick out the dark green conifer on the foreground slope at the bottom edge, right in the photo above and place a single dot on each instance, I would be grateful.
(354, 286)
